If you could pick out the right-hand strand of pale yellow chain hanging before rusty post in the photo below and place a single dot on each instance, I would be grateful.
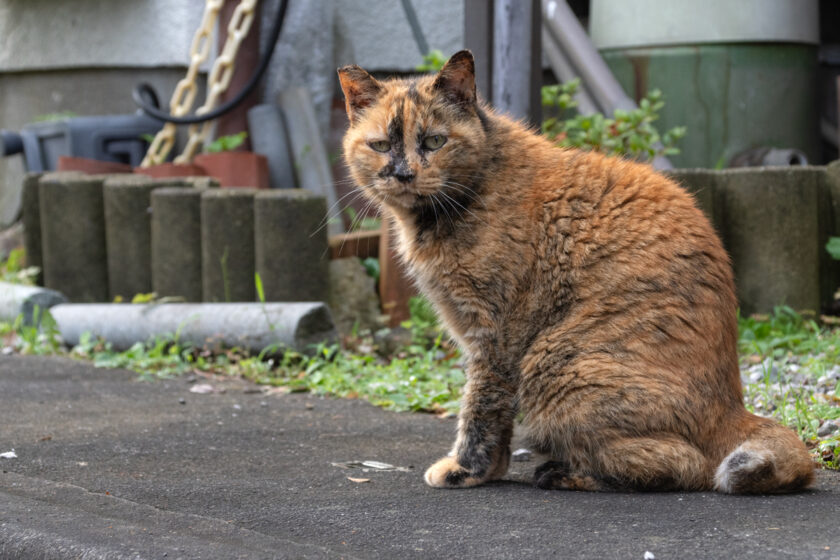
(220, 75)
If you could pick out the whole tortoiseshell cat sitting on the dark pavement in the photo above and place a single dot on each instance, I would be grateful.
(588, 294)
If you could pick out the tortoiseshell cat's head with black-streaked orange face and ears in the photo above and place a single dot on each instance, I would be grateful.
(415, 142)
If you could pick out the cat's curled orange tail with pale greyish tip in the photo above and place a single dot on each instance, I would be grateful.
(770, 459)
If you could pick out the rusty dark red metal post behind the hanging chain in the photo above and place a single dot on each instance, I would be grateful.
(247, 59)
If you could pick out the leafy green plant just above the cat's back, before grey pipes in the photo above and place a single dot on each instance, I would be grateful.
(627, 133)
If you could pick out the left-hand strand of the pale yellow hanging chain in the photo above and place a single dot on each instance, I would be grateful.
(184, 95)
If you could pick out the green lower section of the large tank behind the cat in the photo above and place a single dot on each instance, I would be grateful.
(731, 97)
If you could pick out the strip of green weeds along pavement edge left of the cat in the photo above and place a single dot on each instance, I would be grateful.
(423, 376)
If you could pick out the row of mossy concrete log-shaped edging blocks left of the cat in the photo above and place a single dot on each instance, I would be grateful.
(100, 237)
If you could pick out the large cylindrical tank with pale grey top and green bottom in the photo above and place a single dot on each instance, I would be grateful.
(738, 75)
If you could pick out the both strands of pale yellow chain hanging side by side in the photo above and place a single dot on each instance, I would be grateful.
(217, 83)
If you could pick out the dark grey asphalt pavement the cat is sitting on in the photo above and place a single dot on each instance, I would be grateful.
(109, 466)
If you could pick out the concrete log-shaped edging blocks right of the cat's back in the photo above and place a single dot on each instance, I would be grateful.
(774, 223)
